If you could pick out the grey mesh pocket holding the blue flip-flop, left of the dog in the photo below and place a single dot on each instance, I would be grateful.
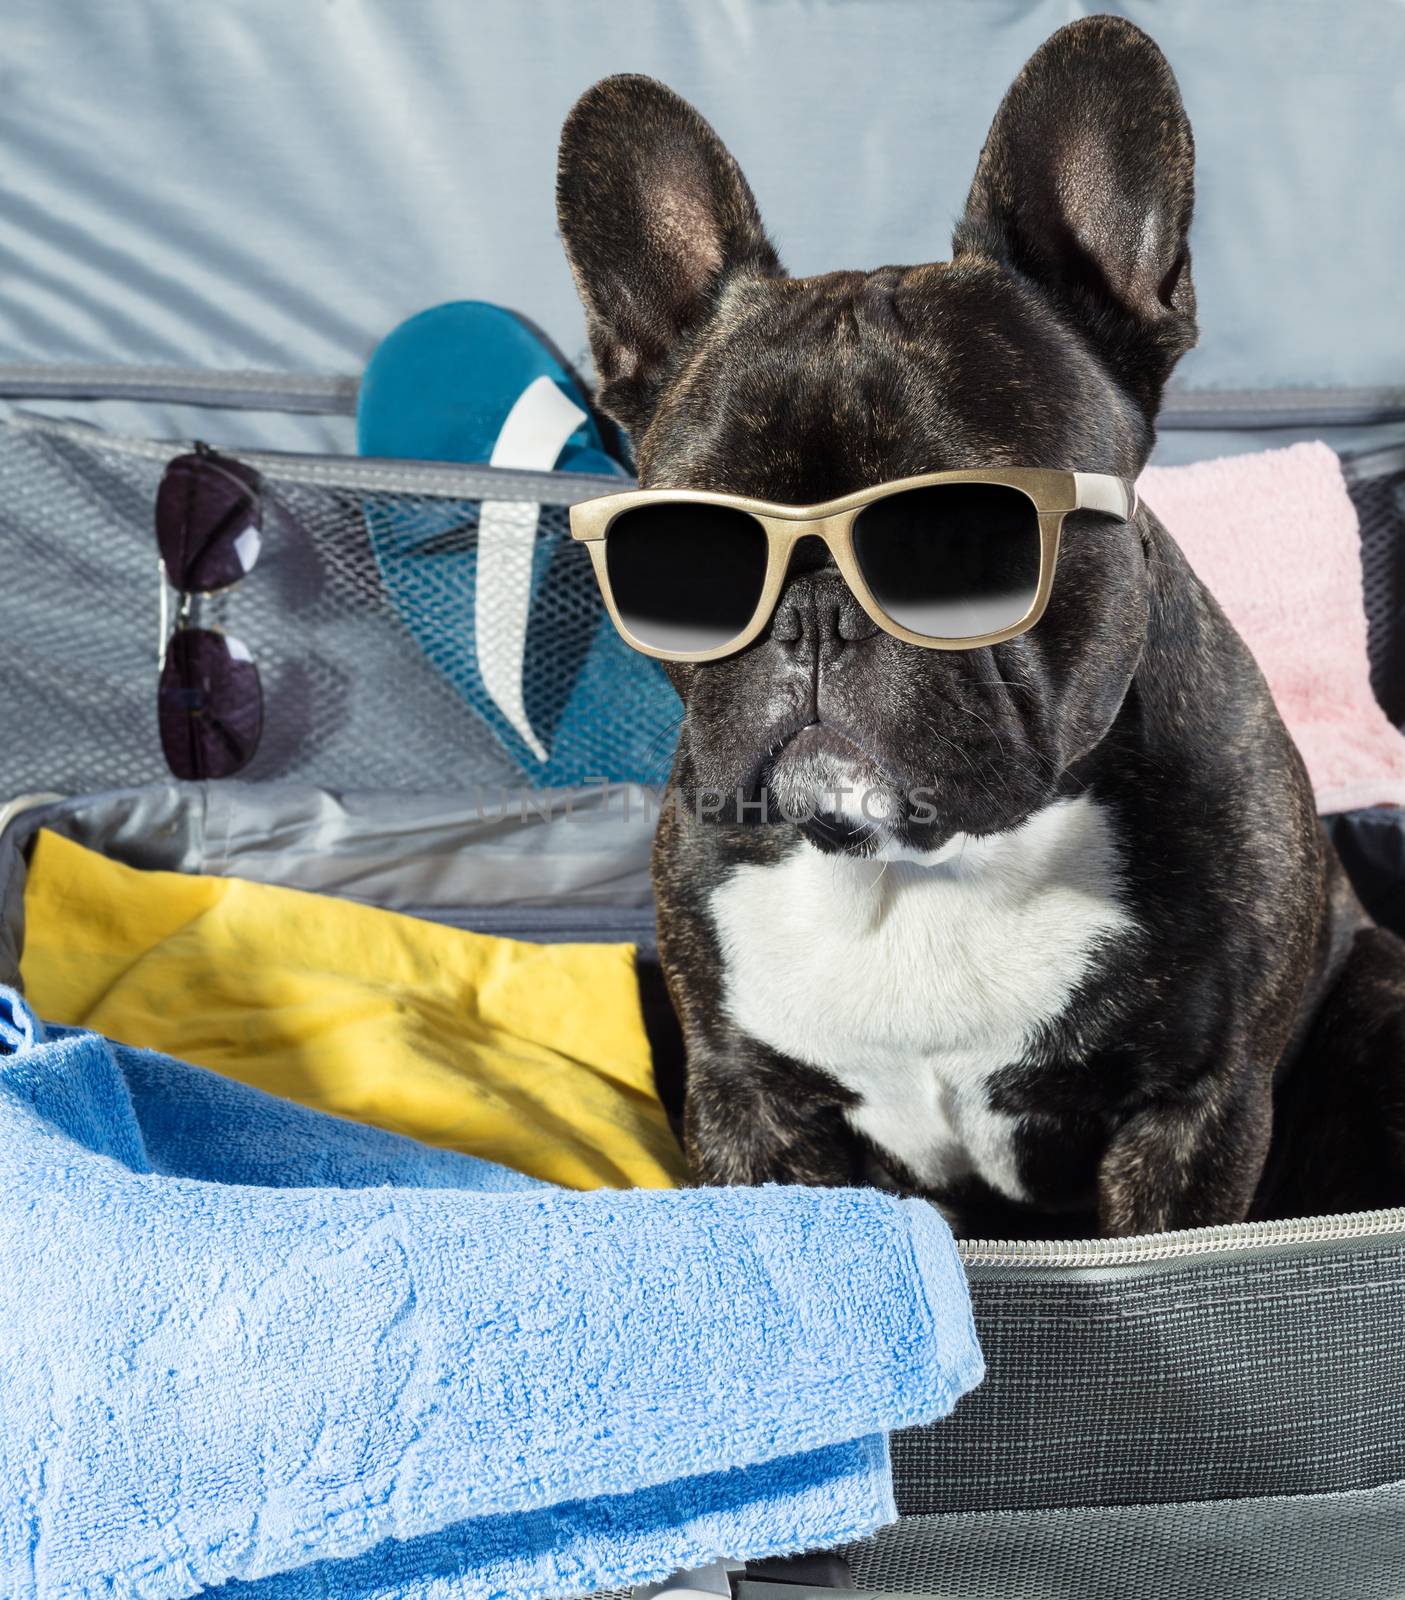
(359, 617)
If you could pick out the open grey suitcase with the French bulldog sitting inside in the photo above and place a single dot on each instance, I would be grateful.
(1206, 1415)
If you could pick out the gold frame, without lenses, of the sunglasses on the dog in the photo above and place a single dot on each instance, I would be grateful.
(1054, 495)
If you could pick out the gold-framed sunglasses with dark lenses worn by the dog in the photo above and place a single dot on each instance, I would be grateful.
(948, 561)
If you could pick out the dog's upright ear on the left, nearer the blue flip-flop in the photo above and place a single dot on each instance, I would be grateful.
(655, 217)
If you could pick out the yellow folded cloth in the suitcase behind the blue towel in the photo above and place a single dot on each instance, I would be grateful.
(530, 1055)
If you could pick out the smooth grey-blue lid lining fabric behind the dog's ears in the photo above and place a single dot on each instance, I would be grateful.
(278, 183)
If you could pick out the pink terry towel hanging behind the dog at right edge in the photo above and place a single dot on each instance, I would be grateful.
(1275, 538)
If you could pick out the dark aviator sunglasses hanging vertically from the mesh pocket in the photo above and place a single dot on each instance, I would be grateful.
(210, 703)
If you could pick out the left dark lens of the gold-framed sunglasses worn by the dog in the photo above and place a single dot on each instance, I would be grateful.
(686, 577)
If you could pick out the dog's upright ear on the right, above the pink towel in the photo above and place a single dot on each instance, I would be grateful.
(1086, 186)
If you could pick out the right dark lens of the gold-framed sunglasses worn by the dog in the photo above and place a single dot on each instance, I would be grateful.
(955, 561)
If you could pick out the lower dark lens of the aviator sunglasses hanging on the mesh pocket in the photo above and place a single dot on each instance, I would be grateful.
(210, 705)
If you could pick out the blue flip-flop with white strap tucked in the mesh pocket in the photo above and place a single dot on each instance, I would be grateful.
(497, 593)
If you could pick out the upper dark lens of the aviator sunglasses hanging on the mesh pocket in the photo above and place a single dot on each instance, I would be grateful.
(209, 518)
